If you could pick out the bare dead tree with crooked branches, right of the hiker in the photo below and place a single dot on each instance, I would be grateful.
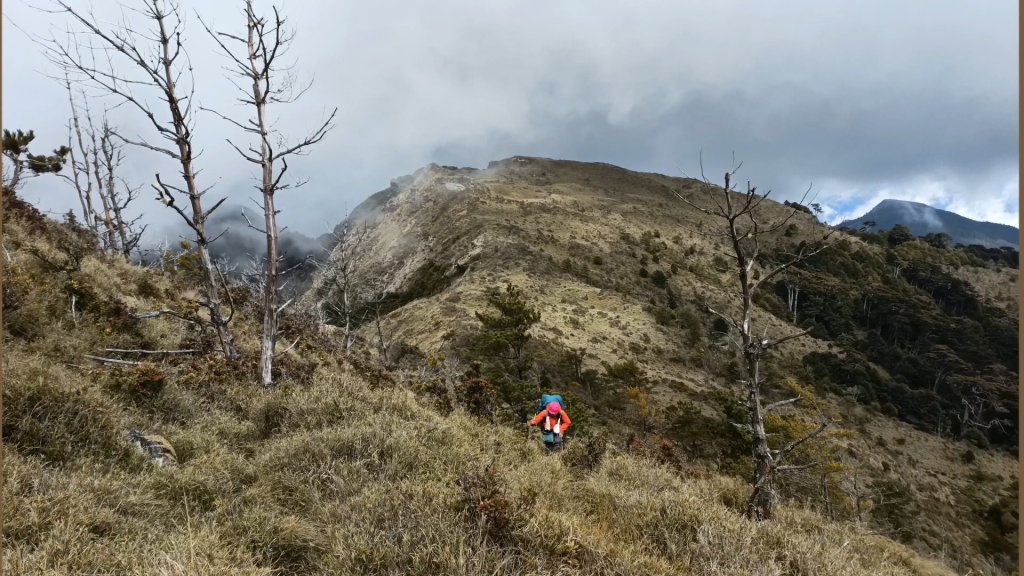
(745, 230)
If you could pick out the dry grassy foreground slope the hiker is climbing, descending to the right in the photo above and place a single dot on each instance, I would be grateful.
(340, 471)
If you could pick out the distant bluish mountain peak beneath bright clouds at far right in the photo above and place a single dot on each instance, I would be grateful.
(922, 220)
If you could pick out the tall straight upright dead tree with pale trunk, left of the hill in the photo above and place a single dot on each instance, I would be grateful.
(258, 62)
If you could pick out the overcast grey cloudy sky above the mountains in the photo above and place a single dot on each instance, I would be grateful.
(867, 101)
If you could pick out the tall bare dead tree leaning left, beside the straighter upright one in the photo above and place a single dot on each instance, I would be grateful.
(160, 63)
